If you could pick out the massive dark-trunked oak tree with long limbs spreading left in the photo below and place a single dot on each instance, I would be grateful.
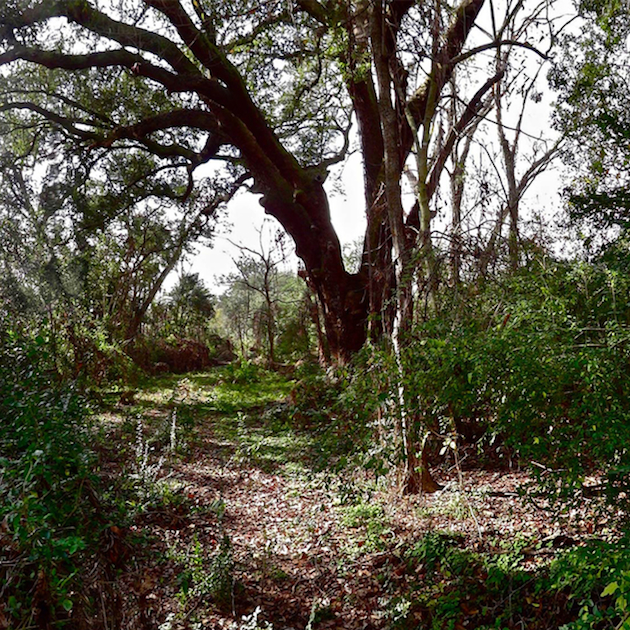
(267, 90)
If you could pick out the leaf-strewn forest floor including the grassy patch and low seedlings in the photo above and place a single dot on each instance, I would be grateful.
(236, 522)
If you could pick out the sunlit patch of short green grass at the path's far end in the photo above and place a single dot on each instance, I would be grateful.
(248, 418)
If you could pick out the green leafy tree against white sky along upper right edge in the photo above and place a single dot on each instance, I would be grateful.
(594, 111)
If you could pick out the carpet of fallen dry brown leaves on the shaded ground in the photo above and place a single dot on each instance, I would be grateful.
(295, 556)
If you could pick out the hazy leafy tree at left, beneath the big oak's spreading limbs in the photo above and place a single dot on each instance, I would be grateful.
(64, 241)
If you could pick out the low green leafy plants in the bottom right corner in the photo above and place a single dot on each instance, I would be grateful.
(498, 587)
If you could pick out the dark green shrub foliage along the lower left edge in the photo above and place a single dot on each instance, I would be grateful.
(48, 501)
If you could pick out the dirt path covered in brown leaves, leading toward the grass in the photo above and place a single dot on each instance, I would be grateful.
(246, 532)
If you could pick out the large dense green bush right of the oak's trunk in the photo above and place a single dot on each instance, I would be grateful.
(539, 358)
